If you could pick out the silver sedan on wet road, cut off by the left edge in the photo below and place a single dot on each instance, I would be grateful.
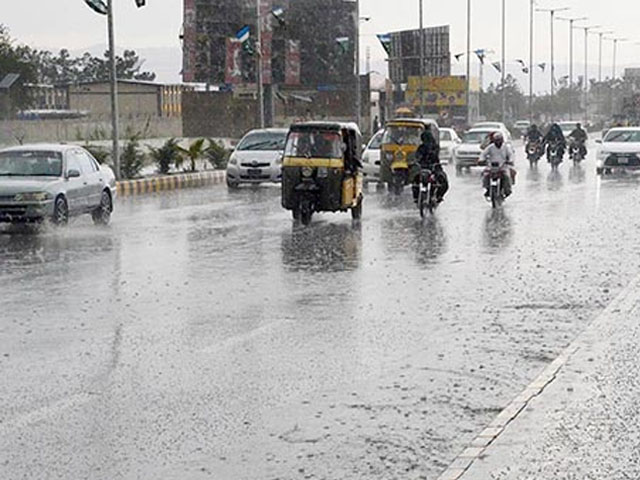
(39, 182)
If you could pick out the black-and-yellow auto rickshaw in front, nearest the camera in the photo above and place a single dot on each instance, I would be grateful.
(321, 170)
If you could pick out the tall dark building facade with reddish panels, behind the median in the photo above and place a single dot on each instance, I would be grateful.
(312, 43)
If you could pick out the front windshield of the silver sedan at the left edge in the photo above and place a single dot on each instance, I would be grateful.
(31, 163)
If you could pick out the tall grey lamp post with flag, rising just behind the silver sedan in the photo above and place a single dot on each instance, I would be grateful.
(102, 8)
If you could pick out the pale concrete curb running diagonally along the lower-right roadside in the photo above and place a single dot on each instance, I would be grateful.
(461, 464)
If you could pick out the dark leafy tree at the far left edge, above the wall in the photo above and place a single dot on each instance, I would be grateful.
(15, 59)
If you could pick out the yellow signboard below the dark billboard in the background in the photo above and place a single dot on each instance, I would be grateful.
(438, 91)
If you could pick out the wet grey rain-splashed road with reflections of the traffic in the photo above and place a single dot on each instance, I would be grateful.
(202, 336)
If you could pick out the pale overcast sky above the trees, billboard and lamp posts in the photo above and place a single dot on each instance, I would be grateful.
(154, 30)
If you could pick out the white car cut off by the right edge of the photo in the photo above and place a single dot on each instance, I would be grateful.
(619, 150)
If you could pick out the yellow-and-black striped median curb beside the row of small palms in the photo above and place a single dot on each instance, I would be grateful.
(128, 188)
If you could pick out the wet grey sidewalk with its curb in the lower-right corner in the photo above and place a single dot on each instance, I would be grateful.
(580, 419)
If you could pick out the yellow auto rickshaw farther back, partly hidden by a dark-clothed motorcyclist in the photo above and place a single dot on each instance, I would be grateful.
(401, 140)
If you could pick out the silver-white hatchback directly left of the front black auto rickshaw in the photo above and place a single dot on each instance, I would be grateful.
(257, 158)
